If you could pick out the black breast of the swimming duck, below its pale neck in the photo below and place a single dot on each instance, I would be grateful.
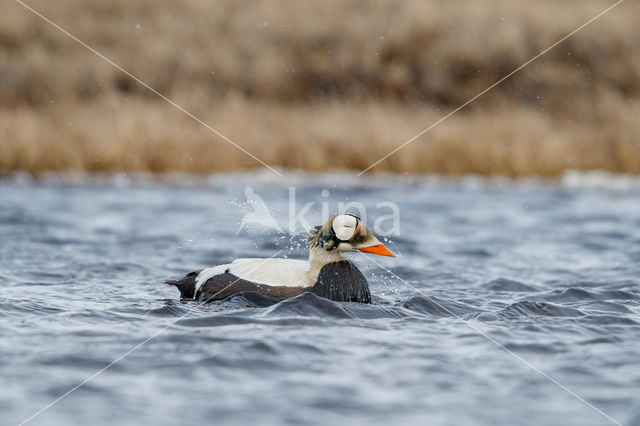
(343, 282)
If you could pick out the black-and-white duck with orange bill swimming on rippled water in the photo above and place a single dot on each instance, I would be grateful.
(327, 273)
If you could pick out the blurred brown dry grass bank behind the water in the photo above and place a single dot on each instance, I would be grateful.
(320, 86)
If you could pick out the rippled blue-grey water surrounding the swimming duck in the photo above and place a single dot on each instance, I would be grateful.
(549, 271)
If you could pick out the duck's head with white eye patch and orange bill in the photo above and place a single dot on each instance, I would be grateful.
(346, 232)
